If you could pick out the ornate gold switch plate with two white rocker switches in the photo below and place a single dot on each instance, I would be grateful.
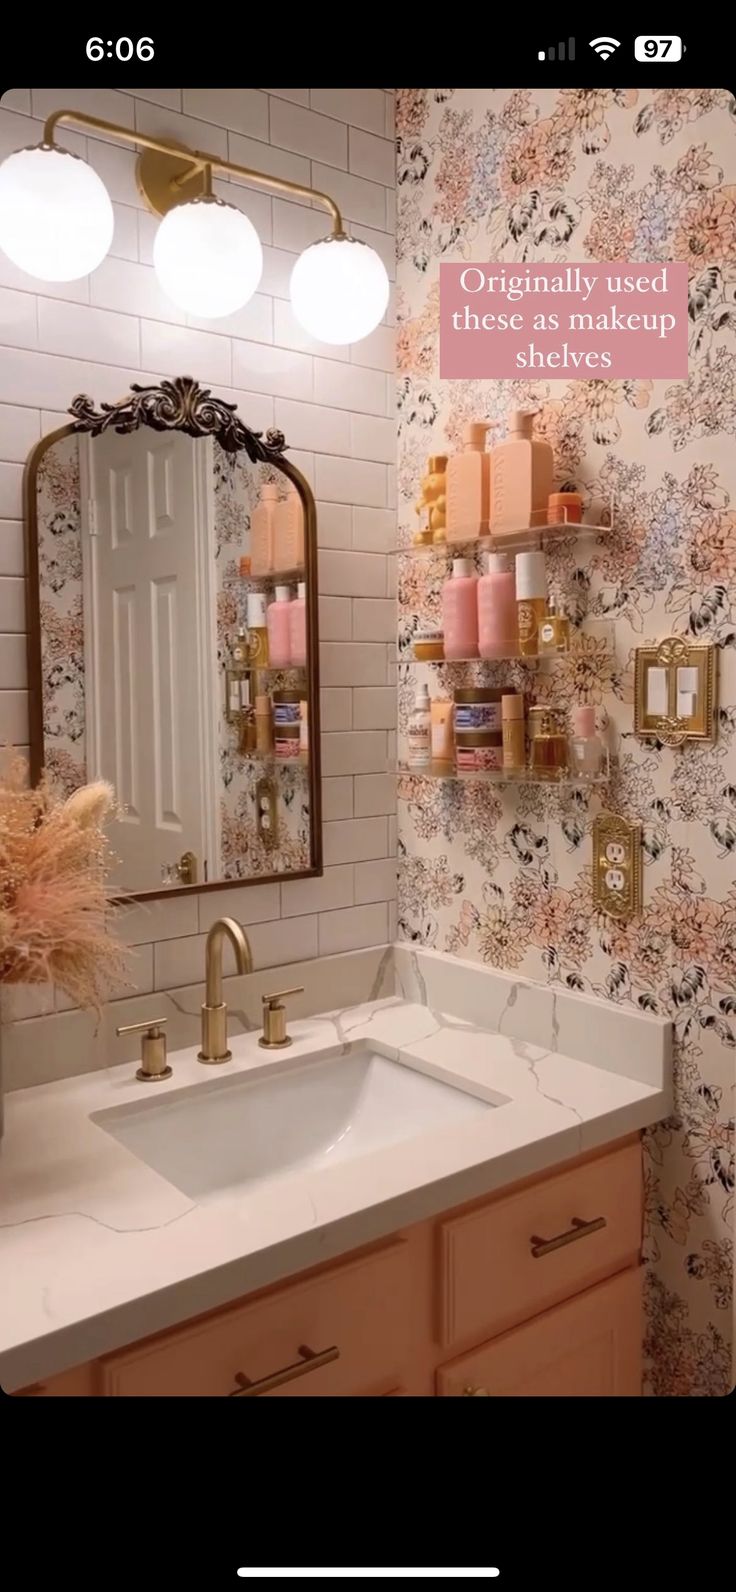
(675, 692)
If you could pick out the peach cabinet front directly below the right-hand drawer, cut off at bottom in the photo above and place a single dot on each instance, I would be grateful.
(589, 1348)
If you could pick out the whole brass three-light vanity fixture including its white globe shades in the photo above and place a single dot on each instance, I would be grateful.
(57, 224)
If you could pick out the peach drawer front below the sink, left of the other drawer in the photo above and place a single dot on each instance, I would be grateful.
(362, 1309)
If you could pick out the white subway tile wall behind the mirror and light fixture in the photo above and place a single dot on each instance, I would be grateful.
(337, 410)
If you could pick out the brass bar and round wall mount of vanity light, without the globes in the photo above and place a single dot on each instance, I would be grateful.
(170, 174)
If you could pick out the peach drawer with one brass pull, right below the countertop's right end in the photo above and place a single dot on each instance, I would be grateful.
(498, 1265)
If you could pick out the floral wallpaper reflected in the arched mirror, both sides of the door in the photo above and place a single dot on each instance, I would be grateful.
(63, 658)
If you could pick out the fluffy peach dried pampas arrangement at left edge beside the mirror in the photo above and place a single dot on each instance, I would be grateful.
(55, 915)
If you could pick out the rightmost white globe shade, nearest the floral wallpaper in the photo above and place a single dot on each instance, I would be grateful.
(340, 291)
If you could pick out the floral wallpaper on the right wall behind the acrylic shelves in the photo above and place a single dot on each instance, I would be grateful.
(501, 875)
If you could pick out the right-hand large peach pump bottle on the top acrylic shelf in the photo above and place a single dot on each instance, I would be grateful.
(523, 477)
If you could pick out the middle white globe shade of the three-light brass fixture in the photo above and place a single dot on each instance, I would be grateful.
(208, 257)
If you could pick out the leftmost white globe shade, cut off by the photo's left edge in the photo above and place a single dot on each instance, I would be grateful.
(57, 220)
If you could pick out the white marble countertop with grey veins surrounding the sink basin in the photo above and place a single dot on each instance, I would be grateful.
(98, 1251)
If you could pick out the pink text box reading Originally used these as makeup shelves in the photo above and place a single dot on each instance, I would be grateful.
(641, 330)
